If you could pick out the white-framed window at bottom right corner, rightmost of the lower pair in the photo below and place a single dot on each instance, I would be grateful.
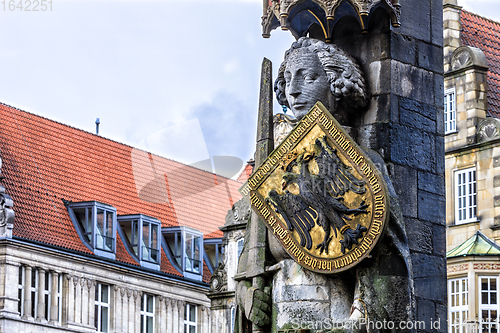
(488, 304)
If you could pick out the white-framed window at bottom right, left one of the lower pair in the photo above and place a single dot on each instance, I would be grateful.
(458, 304)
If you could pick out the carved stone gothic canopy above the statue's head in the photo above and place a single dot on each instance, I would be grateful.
(299, 16)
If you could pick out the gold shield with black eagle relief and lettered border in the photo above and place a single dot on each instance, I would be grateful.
(320, 195)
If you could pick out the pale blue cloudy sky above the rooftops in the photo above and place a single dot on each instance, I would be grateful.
(177, 78)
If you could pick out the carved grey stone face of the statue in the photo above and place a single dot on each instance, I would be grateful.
(306, 83)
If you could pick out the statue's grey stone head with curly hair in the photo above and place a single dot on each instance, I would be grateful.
(316, 71)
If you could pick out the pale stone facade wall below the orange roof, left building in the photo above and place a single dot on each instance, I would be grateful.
(80, 278)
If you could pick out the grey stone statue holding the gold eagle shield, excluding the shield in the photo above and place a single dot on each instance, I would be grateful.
(379, 288)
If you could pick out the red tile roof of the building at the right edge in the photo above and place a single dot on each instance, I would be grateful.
(484, 34)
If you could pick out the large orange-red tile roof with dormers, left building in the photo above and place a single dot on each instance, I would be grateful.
(45, 162)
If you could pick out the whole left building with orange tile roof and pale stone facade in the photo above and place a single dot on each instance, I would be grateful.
(106, 238)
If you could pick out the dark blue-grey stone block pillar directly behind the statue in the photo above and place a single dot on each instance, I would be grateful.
(404, 124)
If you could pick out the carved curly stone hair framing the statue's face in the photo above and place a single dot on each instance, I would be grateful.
(344, 74)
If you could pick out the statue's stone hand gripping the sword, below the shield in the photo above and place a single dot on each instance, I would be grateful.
(258, 306)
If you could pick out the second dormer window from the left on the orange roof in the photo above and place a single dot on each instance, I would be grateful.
(143, 236)
